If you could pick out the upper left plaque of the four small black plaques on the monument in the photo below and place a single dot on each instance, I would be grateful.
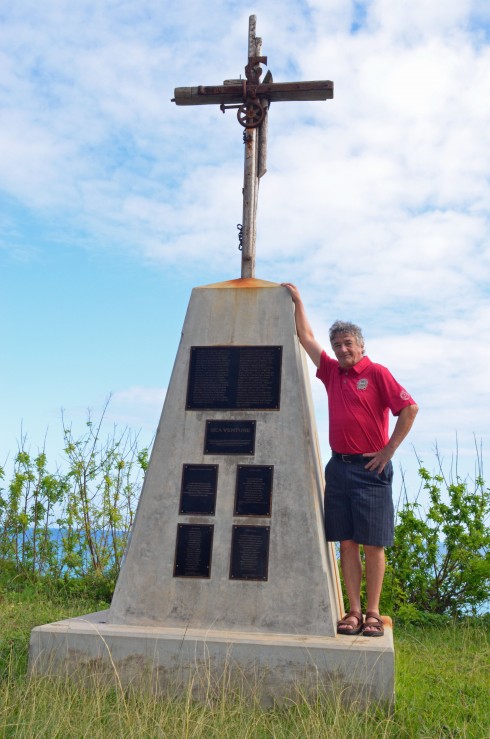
(198, 493)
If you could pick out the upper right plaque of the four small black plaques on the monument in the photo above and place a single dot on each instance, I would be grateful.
(253, 496)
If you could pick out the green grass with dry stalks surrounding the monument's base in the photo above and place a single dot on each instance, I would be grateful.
(442, 690)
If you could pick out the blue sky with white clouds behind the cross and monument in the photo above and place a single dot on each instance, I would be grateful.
(115, 203)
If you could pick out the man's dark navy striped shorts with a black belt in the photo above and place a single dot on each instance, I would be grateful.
(358, 503)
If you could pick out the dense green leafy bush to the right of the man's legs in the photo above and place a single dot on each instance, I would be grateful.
(440, 561)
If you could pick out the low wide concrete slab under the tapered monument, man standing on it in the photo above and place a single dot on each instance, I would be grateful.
(172, 661)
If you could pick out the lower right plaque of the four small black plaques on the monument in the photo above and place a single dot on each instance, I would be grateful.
(249, 553)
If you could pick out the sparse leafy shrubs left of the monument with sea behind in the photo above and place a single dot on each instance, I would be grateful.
(73, 523)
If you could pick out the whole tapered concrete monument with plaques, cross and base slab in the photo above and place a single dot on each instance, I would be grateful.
(227, 575)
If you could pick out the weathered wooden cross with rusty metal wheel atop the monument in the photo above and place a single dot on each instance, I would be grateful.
(252, 98)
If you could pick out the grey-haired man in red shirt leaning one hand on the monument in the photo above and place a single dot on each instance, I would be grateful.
(358, 496)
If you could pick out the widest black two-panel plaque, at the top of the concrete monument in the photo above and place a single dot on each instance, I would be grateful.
(234, 377)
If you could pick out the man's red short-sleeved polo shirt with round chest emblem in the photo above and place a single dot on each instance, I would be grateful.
(359, 400)
